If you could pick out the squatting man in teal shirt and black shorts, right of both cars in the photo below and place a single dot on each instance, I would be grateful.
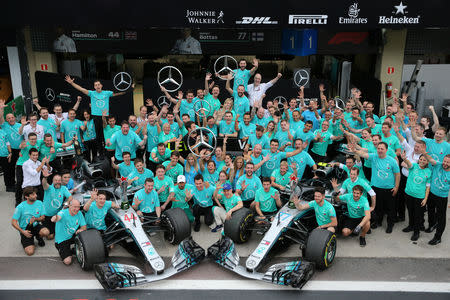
(358, 207)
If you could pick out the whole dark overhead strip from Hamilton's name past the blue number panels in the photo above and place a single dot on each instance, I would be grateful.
(299, 41)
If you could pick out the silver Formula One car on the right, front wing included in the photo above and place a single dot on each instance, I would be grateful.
(287, 226)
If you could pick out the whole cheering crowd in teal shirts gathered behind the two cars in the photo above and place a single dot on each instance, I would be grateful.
(398, 163)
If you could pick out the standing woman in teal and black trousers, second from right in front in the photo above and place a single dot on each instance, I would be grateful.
(416, 192)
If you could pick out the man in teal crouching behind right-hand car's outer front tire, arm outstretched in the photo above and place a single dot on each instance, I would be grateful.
(325, 213)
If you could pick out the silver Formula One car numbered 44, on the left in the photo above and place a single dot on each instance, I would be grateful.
(124, 226)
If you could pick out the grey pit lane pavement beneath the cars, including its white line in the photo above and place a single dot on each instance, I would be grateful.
(390, 266)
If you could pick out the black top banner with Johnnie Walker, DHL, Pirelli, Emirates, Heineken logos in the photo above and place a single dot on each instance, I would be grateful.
(230, 14)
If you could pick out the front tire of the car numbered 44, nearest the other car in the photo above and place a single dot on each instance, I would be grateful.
(177, 224)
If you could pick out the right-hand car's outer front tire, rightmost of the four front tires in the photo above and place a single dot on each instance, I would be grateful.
(321, 248)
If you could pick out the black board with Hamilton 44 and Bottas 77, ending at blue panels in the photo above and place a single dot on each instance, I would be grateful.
(157, 40)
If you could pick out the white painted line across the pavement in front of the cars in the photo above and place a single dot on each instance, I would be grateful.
(315, 285)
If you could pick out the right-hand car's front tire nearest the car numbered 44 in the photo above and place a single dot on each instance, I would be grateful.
(237, 228)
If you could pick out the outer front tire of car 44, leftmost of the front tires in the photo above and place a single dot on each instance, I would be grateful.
(89, 248)
